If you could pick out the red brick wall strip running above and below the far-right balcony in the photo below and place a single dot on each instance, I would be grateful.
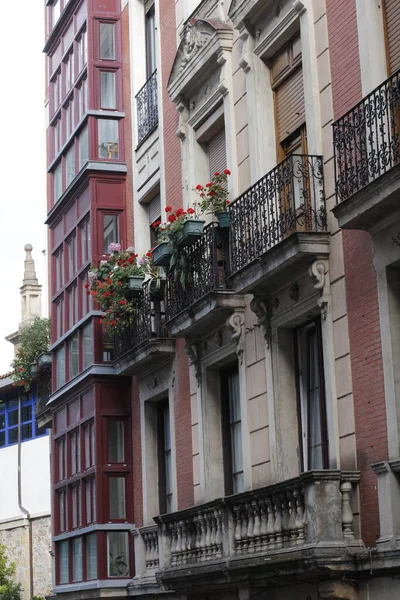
(361, 285)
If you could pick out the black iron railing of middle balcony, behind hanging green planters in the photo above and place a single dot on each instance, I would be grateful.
(200, 269)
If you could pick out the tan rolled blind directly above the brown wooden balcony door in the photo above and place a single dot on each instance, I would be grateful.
(290, 110)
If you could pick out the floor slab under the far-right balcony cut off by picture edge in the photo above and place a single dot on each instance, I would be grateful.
(372, 204)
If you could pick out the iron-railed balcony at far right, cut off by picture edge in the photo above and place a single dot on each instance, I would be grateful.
(367, 155)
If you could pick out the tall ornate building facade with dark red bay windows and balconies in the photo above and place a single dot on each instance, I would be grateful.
(241, 438)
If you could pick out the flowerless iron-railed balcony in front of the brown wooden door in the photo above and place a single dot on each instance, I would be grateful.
(278, 226)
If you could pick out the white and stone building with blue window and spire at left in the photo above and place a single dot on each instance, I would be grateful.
(25, 527)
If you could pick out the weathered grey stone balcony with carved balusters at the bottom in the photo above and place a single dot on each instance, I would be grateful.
(276, 531)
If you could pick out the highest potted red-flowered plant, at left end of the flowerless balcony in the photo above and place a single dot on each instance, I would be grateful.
(214, 197)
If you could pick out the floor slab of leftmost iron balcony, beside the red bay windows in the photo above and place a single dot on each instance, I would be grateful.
(145, 357)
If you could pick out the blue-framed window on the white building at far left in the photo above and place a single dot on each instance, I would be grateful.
(9, 420)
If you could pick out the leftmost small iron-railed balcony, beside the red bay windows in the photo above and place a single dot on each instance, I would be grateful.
(146, 340)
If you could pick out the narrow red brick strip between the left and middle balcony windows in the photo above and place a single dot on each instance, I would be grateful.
(173, 177)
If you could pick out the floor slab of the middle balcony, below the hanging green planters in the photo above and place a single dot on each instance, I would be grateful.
(206, 314)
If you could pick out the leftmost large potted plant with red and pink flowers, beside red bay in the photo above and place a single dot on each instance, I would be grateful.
(115, 284)
